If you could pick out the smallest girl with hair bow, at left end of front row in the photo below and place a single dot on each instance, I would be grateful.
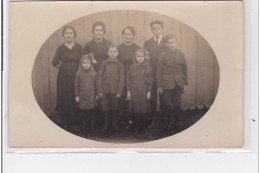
(85, 89)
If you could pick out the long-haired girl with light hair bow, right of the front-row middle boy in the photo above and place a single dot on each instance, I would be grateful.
(139, 86)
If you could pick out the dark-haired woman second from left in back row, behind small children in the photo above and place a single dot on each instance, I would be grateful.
(99, 45)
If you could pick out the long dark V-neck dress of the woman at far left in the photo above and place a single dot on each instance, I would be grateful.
(69, 59)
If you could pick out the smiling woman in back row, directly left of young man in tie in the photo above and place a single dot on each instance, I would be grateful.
(127, 51)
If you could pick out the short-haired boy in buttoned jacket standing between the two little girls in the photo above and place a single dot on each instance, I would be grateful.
(110, 84)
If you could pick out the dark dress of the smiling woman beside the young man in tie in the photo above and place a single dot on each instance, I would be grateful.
(126, 56)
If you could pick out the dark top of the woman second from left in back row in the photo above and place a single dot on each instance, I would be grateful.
(98, 49)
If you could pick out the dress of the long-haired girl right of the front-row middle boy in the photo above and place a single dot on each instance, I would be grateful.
(138, 84)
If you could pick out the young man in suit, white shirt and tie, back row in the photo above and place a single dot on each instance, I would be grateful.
(155, 46)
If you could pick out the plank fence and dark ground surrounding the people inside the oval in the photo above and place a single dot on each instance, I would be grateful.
(203, 73)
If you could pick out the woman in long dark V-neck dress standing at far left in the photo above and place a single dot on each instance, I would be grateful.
(67, 60)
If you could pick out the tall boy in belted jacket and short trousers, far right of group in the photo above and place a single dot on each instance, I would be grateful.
(172, 79)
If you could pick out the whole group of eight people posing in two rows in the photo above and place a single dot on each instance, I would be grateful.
(120, 80)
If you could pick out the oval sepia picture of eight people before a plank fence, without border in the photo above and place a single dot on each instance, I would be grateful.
(125, 76)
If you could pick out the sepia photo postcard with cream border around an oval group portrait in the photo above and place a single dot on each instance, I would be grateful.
(125, 75)
